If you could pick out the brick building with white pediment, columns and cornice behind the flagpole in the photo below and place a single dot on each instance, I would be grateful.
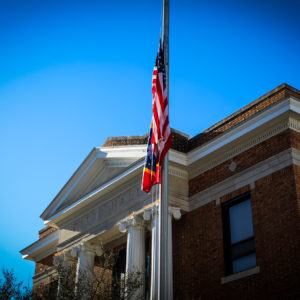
(234, 195)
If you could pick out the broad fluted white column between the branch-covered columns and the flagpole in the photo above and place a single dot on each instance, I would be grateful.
(136, 244)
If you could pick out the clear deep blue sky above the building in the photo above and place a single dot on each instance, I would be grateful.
(73, 73)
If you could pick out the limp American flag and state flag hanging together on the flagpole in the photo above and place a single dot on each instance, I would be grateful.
(160, 138)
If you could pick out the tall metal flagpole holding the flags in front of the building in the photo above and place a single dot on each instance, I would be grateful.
(163, 206)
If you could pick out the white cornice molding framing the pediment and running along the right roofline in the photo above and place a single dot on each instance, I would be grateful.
(194, 159)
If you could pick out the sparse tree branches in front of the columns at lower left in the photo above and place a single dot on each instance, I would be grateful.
(104, 286)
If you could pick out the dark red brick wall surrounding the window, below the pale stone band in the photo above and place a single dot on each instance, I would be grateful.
(198, 245)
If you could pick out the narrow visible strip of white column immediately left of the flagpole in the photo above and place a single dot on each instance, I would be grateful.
(148, 214)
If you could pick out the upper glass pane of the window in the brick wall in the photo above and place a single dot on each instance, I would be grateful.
(241, 226)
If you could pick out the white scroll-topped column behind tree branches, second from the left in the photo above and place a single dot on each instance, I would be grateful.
(86, 255)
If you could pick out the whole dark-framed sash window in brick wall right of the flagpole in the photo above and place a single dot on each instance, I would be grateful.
(239, 245)
